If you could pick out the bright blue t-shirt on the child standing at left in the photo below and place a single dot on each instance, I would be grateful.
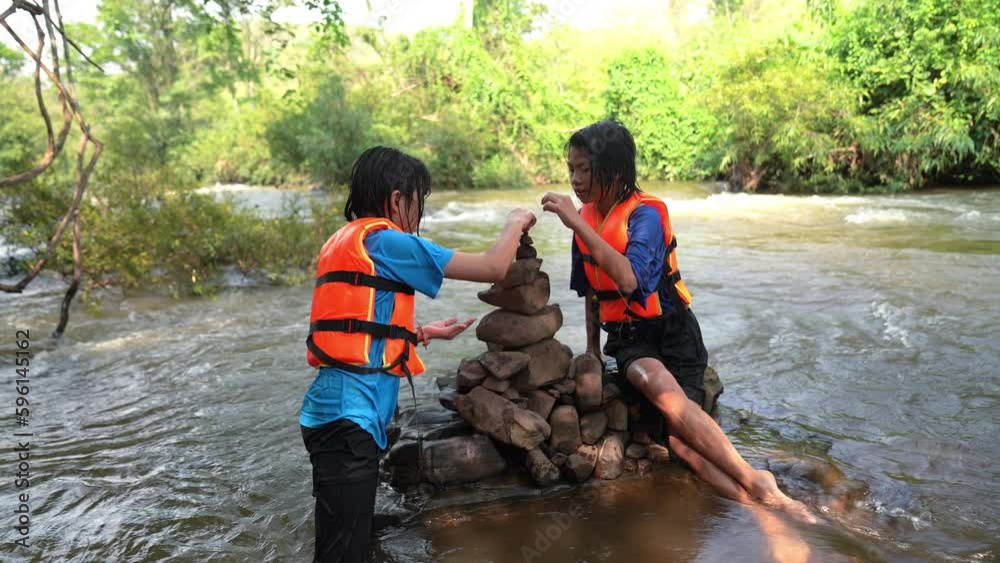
(370, 399)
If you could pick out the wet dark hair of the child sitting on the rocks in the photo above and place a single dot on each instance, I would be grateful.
(611, 149)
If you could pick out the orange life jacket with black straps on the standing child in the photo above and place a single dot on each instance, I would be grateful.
(342, 322)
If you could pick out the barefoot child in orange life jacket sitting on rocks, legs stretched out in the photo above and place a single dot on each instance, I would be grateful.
(624, 256)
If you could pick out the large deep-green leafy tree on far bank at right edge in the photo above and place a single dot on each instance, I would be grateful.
(929, 84)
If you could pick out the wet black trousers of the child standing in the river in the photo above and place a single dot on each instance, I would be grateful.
(344, 459)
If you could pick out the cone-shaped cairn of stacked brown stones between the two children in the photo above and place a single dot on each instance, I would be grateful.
(538, 404)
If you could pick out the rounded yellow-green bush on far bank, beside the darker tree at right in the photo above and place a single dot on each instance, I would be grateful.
(787, 125)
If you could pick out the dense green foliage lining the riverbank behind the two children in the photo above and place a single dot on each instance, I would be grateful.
(796, 95)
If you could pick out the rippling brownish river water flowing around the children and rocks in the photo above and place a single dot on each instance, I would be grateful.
(857, 333)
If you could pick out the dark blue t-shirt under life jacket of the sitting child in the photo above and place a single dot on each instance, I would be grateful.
(645, 251)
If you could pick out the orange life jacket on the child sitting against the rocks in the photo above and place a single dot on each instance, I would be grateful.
(614, 306)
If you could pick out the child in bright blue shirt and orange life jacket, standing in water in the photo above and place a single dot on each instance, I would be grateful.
(363, 335)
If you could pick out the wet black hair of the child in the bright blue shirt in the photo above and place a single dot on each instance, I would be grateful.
(376, 174)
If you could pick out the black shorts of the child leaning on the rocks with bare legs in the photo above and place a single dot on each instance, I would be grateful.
(675, 340)
